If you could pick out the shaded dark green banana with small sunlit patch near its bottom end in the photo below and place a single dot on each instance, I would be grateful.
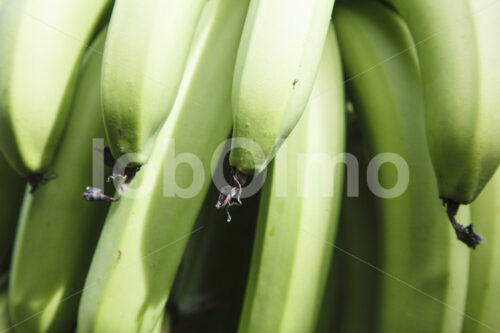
(58, 231)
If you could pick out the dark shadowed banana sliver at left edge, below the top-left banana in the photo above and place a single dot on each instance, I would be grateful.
(11, 194)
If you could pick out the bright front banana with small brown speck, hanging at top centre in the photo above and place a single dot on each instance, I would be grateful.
(277, 62)
